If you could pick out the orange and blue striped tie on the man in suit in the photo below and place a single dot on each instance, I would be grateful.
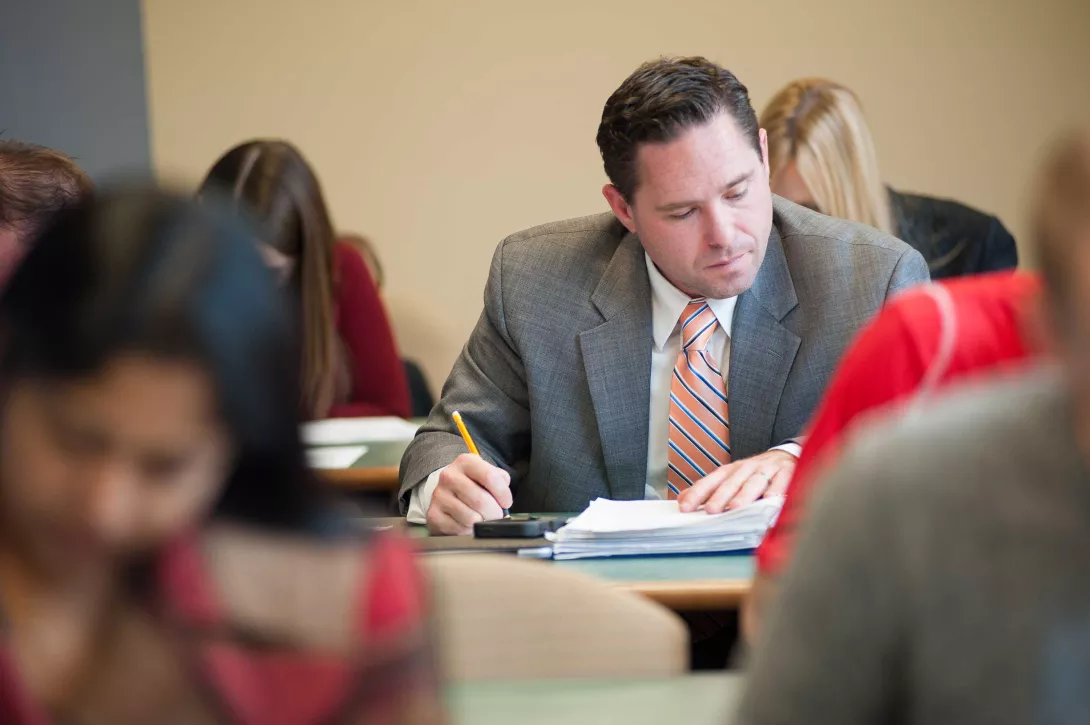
(700, 436)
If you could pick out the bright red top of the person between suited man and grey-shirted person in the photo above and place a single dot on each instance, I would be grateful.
(888, 364)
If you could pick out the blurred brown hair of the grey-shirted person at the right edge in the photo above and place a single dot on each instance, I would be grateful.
(1061, 221)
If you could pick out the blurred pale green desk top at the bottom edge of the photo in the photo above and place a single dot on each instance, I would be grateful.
(694, 700)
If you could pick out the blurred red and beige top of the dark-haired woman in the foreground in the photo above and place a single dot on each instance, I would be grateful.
(245, 667)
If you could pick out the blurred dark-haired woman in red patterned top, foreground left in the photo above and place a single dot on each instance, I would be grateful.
(166, 555)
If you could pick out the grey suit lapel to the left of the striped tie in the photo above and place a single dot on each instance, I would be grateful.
(617, 360)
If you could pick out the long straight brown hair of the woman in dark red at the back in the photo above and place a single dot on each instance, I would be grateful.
(273, 182)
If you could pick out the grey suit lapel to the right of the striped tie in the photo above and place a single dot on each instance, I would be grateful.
(762, 353)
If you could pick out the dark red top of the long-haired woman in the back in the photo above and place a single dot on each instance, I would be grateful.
(379, 377)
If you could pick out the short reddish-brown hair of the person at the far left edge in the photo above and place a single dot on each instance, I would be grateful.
(35, 184)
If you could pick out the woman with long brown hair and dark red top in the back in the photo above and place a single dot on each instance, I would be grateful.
(350, 360)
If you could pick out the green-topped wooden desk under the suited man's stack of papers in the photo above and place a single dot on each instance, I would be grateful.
(697, 583)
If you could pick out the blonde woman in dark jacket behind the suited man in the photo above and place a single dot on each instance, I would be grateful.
(822, 156)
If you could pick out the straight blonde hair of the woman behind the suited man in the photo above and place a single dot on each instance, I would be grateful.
(820, 126)
